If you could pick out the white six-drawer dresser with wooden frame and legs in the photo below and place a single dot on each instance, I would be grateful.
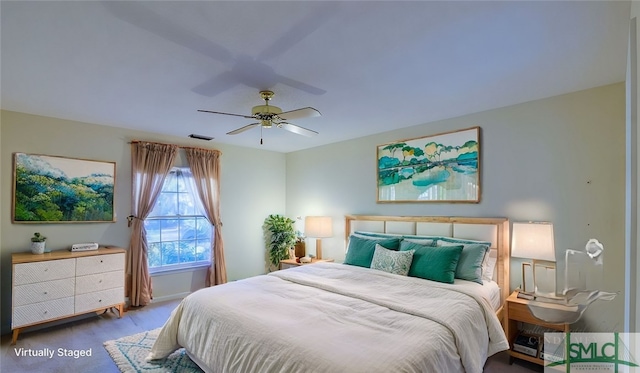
(62, 284)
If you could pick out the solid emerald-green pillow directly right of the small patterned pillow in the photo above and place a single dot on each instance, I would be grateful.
(432, 262)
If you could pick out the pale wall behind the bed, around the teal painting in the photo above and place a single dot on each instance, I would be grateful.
(559, 159)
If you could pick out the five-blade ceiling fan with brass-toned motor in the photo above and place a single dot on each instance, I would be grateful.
(269, 116)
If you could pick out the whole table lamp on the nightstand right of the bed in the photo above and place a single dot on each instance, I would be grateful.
(534, 241)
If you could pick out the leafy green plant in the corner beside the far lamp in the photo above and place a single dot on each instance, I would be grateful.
(280, 237)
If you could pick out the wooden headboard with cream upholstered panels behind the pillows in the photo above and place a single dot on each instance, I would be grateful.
(494, 230)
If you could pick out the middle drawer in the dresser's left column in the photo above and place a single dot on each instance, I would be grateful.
(43, 291)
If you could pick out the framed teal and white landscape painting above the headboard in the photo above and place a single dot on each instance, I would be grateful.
(439, 168)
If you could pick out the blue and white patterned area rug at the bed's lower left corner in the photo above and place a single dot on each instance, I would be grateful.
(129, 354)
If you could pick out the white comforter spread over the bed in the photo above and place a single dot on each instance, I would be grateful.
(331, 317)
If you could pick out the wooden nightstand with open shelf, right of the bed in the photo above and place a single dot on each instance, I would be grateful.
(517, 310)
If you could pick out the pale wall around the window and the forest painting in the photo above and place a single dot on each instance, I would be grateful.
(253, 186)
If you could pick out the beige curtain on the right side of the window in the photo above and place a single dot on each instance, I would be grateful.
(205, 167)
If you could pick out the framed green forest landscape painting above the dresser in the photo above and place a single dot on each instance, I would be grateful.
(51, 189)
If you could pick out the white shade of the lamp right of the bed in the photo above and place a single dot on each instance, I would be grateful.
(533, 241)
